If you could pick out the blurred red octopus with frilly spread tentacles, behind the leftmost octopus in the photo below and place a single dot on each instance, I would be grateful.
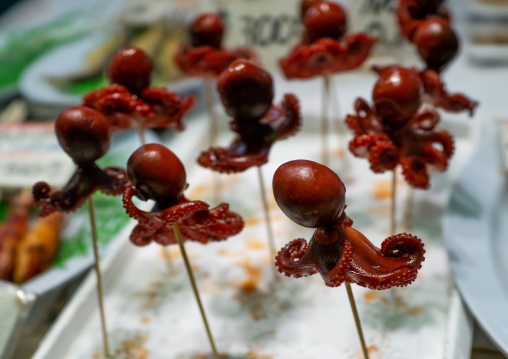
(130, 102)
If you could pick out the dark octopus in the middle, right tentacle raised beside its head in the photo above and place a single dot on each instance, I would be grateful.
(246, 91)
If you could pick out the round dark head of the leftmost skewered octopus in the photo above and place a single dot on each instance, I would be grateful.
(83, 133)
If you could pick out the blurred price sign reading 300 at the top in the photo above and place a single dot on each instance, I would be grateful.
(270, 27)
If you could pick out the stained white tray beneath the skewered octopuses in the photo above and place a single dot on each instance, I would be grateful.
(152, 314)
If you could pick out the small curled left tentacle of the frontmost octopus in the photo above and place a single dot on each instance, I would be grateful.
(287, 260)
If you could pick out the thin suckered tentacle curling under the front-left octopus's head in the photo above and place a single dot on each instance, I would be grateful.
(166, 217)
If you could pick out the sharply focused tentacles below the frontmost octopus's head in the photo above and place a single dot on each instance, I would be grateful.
(353, 258)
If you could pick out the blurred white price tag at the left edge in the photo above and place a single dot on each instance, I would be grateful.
(30, 153)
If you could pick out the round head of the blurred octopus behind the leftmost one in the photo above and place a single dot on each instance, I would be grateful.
(131, 68)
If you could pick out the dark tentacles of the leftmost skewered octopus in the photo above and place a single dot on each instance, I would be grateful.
(86, 180)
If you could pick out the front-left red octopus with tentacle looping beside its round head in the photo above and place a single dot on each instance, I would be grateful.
(157, 174)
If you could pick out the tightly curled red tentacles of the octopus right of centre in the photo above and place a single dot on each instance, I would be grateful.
(416, 144)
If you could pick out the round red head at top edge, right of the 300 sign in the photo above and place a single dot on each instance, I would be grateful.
(325, 19)
